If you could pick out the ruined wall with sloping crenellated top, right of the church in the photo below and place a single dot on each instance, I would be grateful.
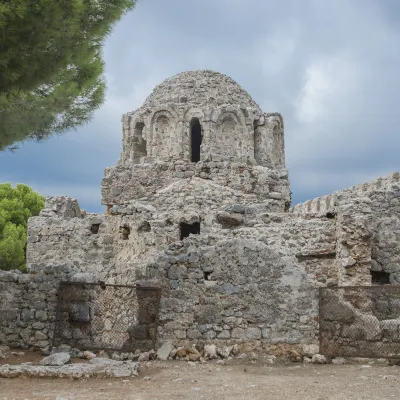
(368, 228)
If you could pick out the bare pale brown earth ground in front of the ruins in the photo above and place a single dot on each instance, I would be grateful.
(179, 380)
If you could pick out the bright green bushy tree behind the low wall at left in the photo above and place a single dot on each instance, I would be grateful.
(16, 206)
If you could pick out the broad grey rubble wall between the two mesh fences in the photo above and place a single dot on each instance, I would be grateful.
(257, 285)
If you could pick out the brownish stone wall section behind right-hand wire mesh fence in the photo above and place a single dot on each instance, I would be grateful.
(362, 322)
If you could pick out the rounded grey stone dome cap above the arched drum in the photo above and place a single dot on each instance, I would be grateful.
(199, 89)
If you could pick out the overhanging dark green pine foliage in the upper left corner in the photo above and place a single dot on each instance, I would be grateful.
(51, 65)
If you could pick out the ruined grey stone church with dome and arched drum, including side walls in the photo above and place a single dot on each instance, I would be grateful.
(199, 204)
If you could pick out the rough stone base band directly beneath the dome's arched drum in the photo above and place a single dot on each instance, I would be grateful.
(147, 182)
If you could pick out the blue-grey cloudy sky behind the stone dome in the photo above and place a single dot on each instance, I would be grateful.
(331, 67)
